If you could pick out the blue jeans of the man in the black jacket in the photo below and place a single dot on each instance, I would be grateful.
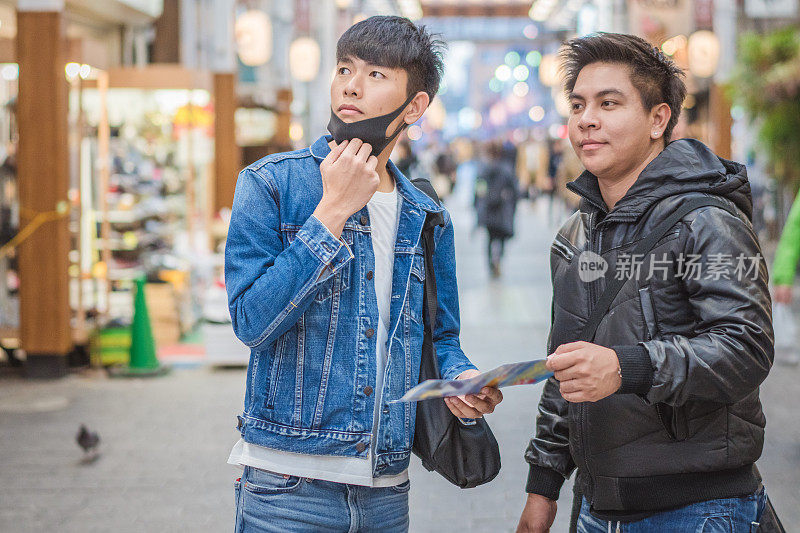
(726, 515)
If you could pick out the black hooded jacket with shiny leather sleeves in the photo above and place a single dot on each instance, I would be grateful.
(687, 423)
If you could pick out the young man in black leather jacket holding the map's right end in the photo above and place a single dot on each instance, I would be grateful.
(660, 413)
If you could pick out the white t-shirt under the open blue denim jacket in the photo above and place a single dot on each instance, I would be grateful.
(383, 212)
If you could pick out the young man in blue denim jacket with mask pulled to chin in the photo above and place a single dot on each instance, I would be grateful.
(325, 277)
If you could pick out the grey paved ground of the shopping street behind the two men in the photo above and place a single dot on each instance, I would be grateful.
(165, 441)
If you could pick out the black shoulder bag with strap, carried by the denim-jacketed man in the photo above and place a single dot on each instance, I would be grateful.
(465, 455)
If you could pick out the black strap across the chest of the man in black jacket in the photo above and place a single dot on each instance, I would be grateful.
(643, 248)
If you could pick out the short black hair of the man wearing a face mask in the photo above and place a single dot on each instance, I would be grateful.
(396, 42)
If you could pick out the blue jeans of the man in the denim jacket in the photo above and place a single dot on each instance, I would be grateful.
(273, 503)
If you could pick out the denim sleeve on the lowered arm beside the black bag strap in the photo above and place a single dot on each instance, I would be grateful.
(452, 360)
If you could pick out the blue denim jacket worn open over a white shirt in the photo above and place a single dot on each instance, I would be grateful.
(302, 301)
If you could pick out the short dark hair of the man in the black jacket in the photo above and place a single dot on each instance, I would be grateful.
(655, 76)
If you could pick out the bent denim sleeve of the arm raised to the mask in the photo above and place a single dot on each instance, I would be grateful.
(269, 287)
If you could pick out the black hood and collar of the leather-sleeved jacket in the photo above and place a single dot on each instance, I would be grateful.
(684, 166)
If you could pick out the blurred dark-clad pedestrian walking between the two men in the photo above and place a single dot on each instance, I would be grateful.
(497, 203)
